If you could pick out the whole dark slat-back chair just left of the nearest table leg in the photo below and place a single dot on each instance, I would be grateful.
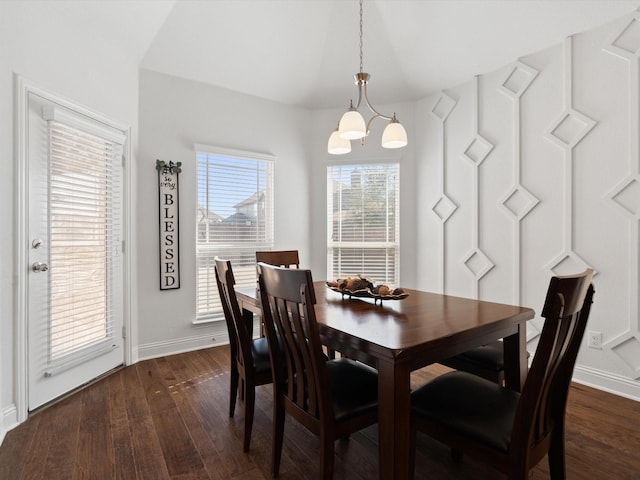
(333, 398)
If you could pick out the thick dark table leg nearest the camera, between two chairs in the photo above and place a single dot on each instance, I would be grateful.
(394, 410)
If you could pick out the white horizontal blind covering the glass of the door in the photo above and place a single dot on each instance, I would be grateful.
(85, 241)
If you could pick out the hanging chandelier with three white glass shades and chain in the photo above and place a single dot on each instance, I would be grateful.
(352, 125)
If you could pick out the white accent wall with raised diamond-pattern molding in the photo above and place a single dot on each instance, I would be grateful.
(543, 196)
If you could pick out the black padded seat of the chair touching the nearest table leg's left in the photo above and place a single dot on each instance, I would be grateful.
(354, 388)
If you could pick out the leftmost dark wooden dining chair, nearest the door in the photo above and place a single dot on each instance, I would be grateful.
(250, 362)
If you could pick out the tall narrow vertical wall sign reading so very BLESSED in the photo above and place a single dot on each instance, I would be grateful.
(169, 225)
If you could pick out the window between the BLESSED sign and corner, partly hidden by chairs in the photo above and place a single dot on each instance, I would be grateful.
(234, 218)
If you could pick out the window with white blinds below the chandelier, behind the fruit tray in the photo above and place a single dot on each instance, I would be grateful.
(363, 222)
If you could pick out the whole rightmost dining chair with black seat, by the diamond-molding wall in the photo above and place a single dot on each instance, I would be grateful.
(508, 430)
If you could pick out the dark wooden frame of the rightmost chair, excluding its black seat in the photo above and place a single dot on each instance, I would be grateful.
(538, 426)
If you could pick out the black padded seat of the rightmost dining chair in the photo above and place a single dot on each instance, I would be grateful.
(470, 406)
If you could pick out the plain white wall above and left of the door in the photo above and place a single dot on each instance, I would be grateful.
(39, 44)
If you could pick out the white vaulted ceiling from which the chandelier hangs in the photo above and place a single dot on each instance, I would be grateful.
(305, 52)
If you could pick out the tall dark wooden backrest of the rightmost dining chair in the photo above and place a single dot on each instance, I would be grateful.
(543, 400)
